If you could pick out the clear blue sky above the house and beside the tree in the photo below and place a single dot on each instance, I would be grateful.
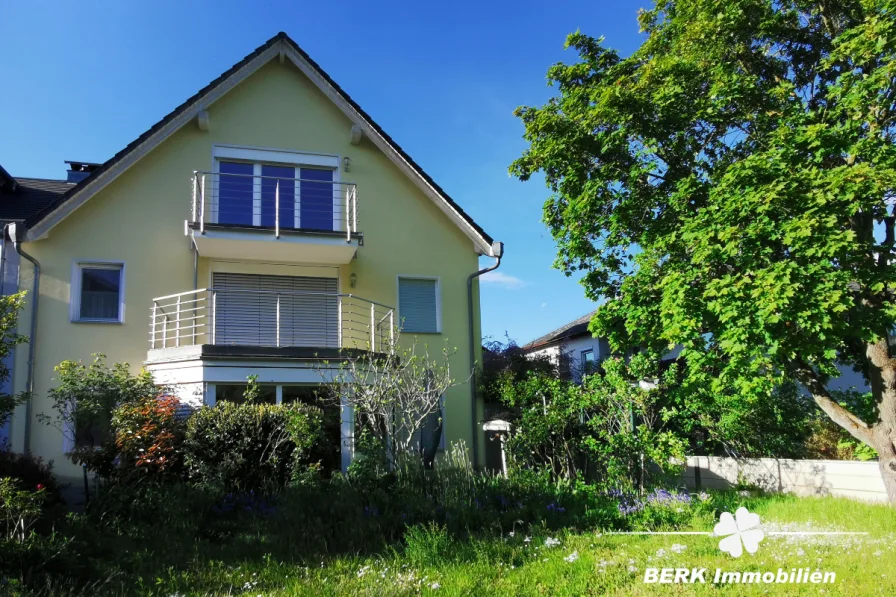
(83, 80)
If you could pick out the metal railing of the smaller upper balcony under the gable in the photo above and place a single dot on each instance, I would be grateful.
(276, 203)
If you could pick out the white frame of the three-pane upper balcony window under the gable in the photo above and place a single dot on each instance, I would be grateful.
(258, 156)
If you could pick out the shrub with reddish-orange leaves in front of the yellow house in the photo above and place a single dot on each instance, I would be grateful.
(149, 436)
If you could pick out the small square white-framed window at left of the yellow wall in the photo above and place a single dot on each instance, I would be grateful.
(98, 292)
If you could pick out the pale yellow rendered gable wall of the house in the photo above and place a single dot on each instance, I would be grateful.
(139, 219)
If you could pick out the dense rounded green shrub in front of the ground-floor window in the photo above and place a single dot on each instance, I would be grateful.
(250, 446)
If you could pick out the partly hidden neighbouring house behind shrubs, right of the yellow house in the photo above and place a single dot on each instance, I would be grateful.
(571, 347)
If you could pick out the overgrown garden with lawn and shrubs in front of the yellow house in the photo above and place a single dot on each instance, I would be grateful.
(234, 500)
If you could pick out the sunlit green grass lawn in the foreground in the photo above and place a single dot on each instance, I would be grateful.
(519, 562)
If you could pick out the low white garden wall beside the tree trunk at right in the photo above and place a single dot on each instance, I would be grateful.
(843, 478)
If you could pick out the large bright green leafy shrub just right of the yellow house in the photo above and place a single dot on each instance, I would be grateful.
(607, 430)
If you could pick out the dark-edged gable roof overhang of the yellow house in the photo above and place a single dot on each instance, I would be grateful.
(282, 46)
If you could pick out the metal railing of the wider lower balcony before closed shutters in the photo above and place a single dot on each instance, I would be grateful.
(268, 318)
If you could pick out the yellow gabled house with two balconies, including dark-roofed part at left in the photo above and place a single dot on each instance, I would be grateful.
(265, 225)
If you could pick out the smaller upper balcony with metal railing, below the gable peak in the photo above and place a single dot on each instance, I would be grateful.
(252, 213)
